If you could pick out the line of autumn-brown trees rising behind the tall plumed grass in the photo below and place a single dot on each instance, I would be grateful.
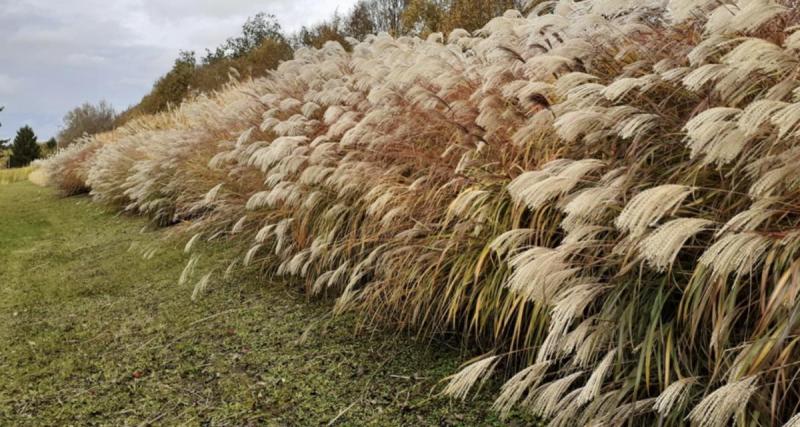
(263, 45)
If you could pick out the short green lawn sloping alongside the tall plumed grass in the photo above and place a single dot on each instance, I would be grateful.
(93, 333)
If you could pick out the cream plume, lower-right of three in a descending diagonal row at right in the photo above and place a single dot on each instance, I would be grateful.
(735, 252)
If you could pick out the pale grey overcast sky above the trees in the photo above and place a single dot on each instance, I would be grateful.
(56, 54)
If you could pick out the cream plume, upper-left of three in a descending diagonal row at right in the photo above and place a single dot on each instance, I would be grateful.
(649, 206)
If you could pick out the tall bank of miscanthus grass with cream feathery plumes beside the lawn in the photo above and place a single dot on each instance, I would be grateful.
(600, 196)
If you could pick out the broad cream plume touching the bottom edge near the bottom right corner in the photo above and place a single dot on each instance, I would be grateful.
(720, 406)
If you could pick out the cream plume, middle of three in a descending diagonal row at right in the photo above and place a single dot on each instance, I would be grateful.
(661, 247)
